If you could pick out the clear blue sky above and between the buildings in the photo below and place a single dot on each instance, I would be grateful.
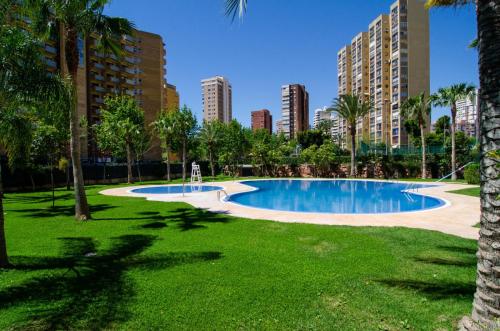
(283, 41)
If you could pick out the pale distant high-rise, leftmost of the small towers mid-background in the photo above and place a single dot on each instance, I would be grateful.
(217, 99)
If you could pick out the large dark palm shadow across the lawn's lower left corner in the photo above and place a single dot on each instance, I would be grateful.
(87, 288)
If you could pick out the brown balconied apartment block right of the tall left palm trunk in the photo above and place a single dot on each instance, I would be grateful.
(139, 72)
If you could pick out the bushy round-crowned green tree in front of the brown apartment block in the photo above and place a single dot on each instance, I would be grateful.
(122, 122)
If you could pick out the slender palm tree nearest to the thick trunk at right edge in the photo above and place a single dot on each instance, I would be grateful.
(448, 97)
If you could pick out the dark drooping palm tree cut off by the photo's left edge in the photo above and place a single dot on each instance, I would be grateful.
(24, 83)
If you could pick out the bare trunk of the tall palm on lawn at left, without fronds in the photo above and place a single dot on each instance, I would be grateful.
(70, 51)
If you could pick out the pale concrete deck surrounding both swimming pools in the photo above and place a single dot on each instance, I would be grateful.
(457, 217)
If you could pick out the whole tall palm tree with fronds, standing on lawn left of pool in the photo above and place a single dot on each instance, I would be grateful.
(77, 19)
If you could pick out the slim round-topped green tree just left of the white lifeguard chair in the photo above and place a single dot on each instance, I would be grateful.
(185, 128)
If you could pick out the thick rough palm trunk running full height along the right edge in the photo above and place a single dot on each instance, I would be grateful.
(486, 307)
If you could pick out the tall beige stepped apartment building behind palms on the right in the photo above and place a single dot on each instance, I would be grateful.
(387, 64)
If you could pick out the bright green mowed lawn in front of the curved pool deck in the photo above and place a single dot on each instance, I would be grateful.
(142, 265)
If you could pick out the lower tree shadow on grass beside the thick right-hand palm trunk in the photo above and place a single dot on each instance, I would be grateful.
(437, 290)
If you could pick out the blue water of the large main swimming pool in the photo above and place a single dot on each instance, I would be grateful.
(334, 196)
